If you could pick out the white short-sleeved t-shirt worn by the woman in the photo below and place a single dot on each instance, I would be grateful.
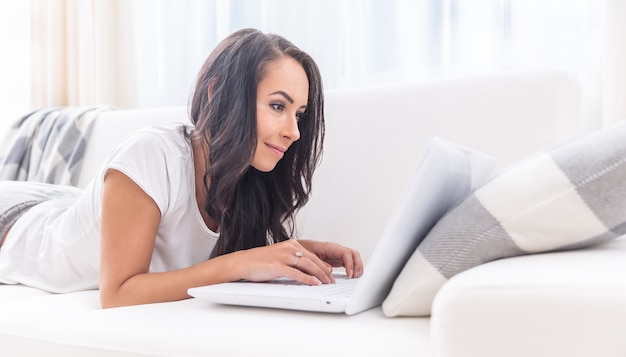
(55, 246)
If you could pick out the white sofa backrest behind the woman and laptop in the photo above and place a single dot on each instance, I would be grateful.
(375, 137)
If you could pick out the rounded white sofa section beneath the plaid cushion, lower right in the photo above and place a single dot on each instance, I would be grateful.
(554, 304)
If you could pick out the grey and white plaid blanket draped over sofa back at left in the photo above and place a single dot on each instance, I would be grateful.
(47, 145)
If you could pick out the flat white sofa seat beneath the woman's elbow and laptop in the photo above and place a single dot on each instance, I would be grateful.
(74, 325)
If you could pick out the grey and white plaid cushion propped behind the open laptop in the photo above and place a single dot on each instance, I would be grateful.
(571, 196)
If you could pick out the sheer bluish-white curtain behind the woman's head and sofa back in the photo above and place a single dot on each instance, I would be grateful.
(365, 42)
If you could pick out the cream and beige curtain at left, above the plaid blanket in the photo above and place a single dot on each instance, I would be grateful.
(80, 53)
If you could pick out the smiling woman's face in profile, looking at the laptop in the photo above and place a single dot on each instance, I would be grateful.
(282, 97)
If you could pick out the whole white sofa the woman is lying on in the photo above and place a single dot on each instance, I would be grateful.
(556, 304)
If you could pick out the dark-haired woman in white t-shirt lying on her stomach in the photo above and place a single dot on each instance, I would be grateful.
(186, 206)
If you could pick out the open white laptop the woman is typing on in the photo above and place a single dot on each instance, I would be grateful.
(446, 174)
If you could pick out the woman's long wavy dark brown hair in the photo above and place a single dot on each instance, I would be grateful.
(252, 207)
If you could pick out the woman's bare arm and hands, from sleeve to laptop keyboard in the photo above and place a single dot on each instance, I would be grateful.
(130, 219)
